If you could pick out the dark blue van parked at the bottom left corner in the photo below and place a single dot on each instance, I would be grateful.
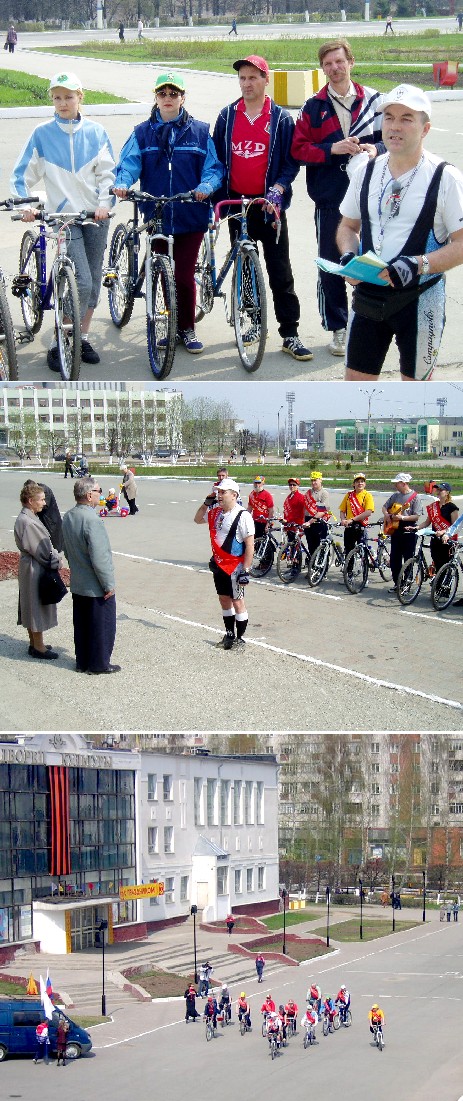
(19, 1019)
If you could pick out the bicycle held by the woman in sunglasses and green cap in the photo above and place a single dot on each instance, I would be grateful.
(125, 278)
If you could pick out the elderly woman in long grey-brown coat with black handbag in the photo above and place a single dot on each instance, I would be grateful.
(37, 551)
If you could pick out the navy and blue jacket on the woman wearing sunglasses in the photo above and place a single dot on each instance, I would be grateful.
(169, 158)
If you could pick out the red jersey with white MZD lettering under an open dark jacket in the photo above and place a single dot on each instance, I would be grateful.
(250, 150)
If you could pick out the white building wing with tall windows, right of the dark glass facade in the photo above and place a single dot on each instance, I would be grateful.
(208, 830)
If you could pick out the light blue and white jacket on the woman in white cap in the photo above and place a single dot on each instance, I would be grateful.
(75, 161)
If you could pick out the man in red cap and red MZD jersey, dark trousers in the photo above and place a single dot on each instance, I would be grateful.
(253, 139)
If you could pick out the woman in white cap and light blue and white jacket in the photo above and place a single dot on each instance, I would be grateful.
(74, 158)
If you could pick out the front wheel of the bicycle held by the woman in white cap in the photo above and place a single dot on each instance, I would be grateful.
(68, 321)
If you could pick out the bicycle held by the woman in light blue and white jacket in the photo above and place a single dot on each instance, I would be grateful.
(57, 291)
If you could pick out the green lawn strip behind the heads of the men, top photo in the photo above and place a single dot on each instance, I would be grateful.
(376, 61)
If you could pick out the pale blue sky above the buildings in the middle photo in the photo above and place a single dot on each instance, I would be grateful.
(317, 401)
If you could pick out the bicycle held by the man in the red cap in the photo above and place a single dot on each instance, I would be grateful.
(249, 303)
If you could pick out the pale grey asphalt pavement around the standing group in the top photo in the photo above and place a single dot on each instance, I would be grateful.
(124, 353)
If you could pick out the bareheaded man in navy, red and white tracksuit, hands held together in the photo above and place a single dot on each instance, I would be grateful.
(333, 129)
